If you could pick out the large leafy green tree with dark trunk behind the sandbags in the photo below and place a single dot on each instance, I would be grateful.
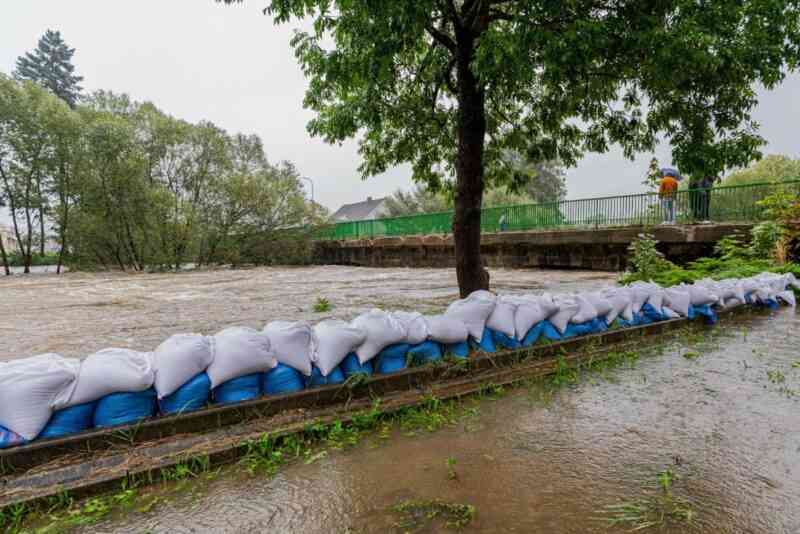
(453, 85)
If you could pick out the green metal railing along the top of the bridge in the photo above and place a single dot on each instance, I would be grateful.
(724, 204)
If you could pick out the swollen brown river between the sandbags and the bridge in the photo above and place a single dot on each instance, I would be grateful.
(79, 313)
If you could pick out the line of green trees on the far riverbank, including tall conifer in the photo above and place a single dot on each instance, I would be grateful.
(117, 183)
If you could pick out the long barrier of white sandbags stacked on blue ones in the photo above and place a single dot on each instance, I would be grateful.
(48, 395)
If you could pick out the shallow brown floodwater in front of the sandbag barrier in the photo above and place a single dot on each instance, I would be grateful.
(725, 420)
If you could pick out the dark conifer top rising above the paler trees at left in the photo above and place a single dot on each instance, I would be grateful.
(50, 65)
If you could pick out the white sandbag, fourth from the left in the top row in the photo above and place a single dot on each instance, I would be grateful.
(239, 351)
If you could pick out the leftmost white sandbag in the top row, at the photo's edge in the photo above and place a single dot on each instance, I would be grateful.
(31, 388)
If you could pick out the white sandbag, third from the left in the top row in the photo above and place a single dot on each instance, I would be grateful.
(180, 358)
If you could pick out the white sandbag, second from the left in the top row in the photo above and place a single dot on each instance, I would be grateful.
(112, 371)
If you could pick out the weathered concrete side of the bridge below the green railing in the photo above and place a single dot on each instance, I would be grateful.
(603, 249)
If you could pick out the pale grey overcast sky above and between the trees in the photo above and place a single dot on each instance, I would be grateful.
(196, 59)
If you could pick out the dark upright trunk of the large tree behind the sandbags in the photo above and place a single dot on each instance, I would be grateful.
(469, 174)
